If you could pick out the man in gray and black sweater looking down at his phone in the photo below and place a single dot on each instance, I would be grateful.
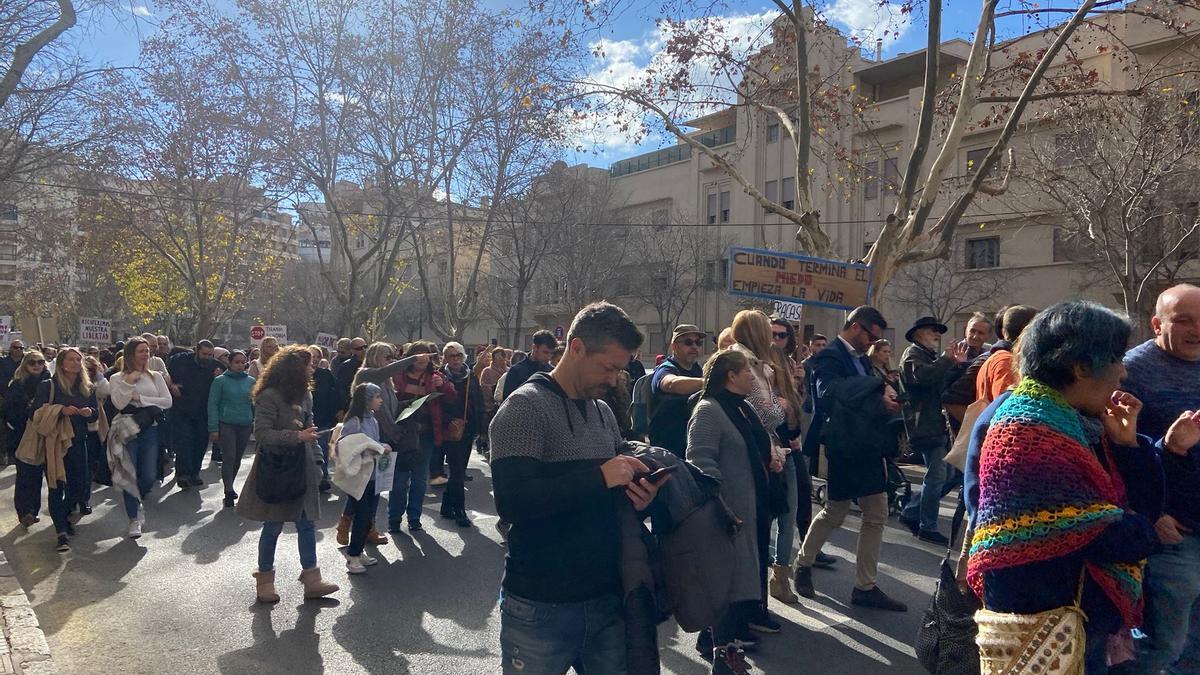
(559, 482)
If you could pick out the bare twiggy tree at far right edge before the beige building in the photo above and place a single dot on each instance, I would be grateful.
(1119, 178)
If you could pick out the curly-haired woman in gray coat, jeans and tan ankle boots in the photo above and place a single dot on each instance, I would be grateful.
(284, 425)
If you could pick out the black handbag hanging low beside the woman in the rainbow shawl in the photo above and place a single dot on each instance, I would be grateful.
(946, 642)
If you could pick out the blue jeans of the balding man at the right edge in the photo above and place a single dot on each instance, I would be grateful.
(1173, 588)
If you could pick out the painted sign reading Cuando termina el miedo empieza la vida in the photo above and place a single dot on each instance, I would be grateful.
(772, 276)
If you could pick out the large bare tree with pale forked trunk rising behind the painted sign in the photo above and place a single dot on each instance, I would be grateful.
(770, 75)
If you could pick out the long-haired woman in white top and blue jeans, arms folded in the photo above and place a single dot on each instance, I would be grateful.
(139, 387)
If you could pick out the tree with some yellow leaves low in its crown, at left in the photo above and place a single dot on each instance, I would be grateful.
(178, 172)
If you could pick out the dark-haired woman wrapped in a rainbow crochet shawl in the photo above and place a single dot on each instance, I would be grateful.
(1067, 488)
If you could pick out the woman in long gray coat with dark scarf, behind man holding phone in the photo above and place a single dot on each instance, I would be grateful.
(728, 441)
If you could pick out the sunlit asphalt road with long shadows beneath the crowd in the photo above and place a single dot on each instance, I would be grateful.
(182, 598)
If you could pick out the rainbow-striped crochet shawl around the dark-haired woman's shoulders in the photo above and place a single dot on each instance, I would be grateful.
(1043, 495)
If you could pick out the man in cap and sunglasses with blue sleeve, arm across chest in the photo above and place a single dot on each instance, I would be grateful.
(676, 379)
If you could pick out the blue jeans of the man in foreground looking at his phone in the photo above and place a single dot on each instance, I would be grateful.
(550, 638)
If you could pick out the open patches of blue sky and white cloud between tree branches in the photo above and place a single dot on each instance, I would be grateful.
(632, 41)
